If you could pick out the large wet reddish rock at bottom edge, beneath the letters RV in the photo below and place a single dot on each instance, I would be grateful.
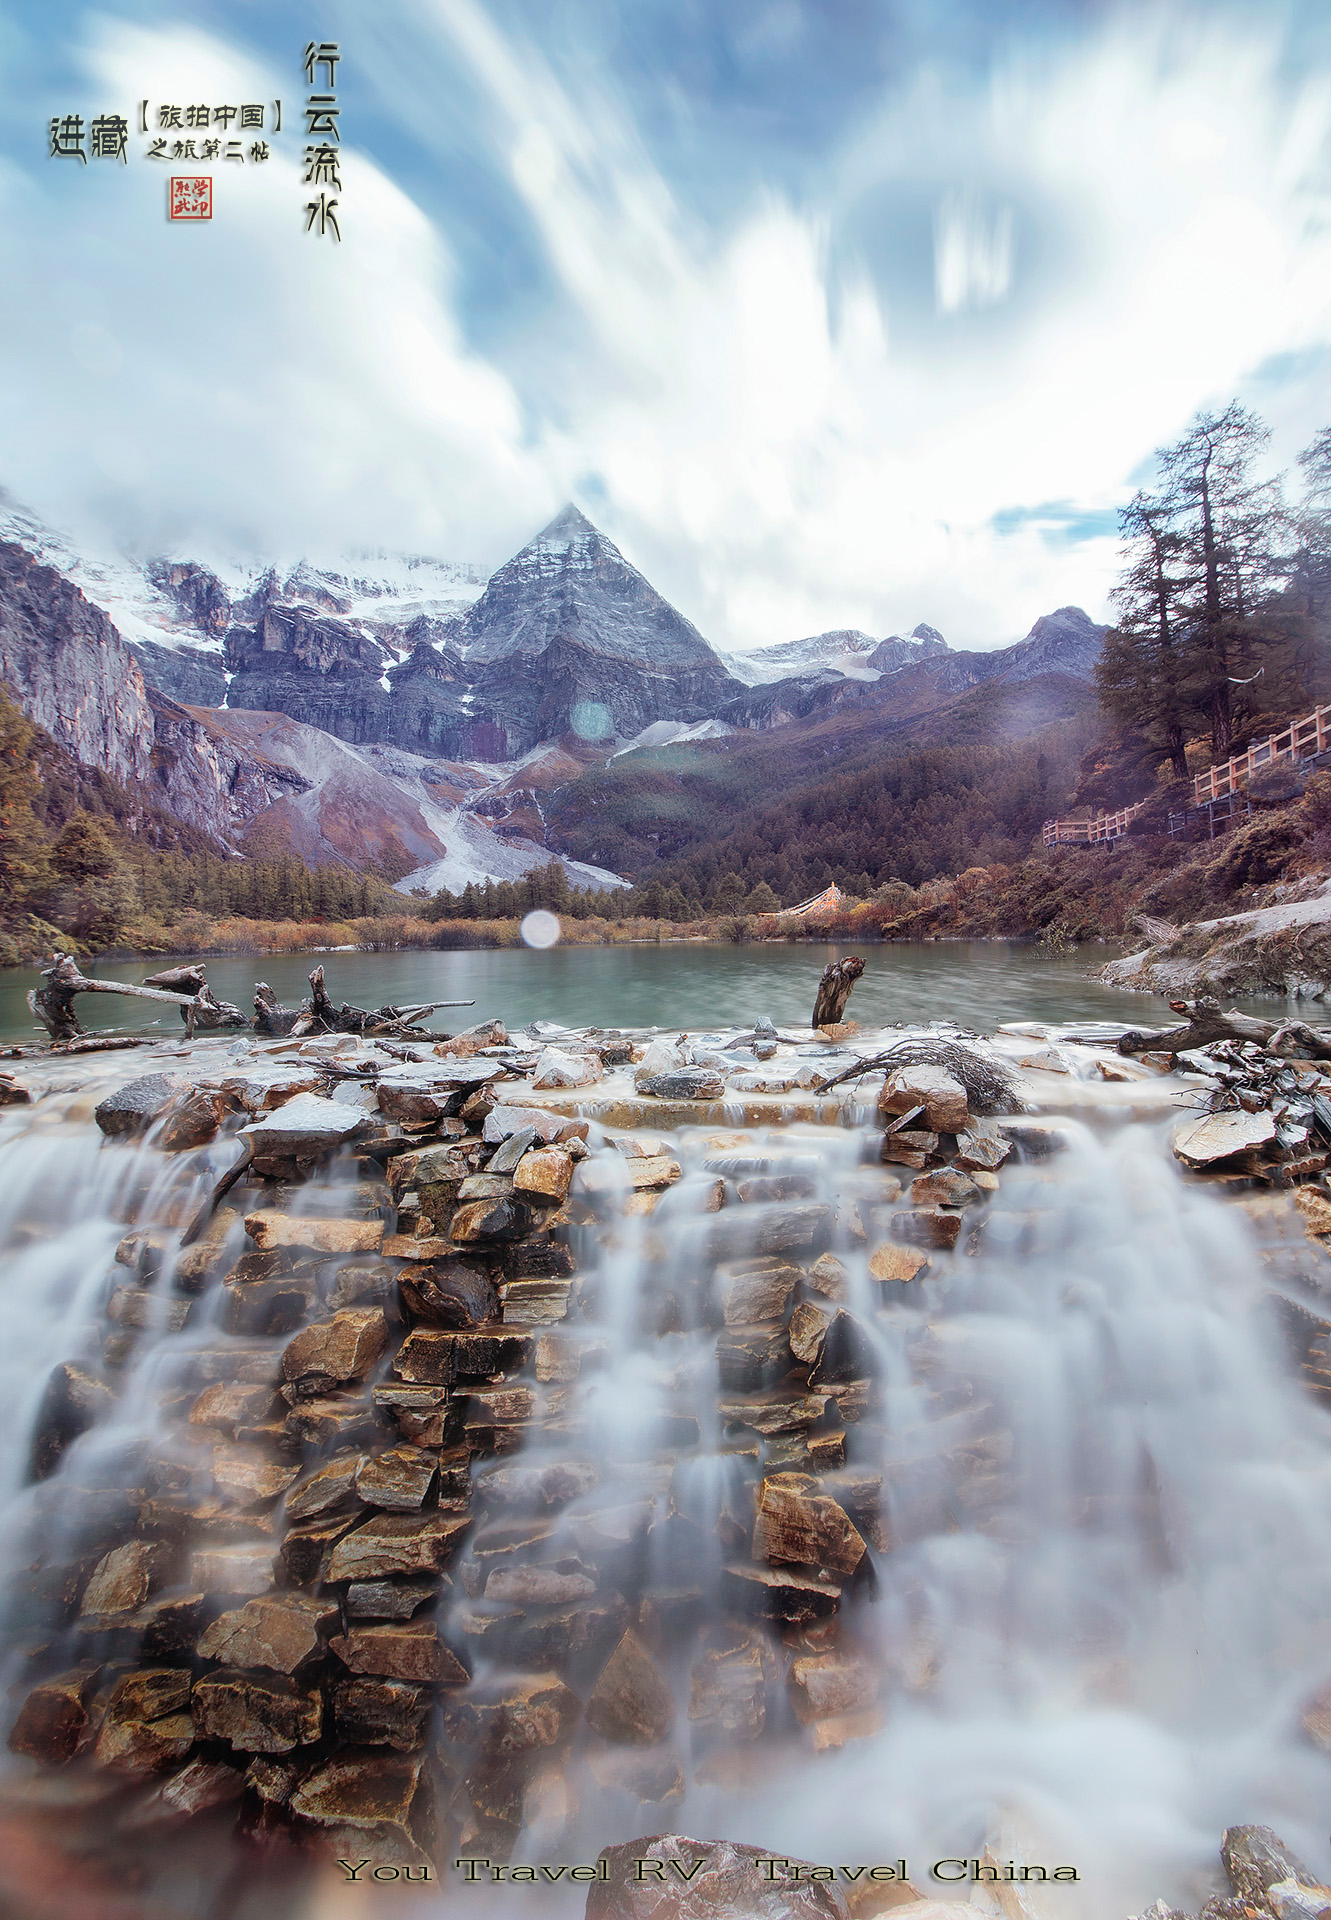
(729, 1884)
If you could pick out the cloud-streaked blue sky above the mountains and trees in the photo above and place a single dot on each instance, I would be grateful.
(842, 314)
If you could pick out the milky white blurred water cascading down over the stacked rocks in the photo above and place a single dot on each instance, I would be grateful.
(1096, 1504)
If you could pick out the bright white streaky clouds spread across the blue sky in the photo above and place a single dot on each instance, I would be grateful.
(785, 433)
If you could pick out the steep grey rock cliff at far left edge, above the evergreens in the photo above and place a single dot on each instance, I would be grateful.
(70, 669)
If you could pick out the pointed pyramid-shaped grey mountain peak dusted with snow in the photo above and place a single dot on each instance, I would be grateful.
(571, 638)
